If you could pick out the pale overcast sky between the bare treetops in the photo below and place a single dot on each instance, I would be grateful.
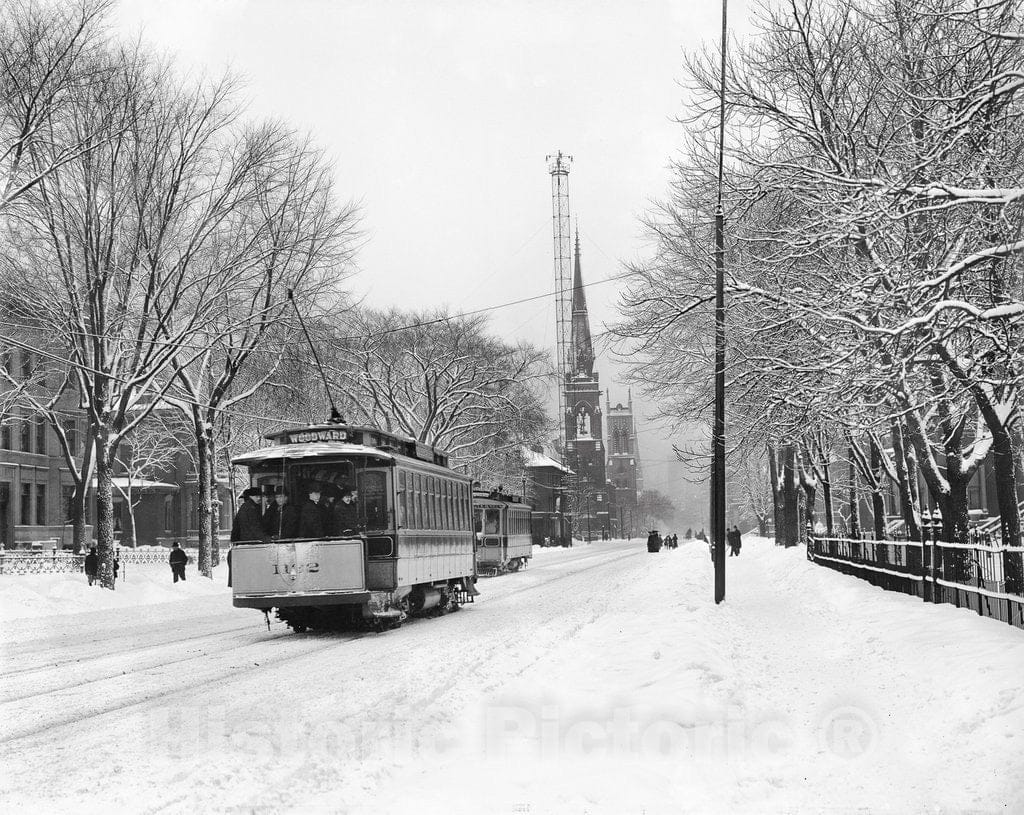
(439, 115)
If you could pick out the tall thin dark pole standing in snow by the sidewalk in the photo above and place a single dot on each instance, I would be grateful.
(718, 440)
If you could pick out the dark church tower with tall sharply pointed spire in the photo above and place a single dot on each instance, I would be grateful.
(583, 420)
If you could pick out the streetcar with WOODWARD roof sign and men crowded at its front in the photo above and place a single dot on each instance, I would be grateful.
(409, 549)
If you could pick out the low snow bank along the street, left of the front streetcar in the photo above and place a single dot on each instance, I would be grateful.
(45, 595)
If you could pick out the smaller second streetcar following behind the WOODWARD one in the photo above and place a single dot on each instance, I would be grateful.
(503, 533)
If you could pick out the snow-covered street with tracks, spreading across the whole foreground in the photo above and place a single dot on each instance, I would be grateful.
(601, 680)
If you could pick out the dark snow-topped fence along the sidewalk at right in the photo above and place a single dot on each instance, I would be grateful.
(986, 578)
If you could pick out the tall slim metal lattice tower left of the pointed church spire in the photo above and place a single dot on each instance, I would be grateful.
(559, 166)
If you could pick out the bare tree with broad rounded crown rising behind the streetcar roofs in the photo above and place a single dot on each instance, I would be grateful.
(442, 380)
